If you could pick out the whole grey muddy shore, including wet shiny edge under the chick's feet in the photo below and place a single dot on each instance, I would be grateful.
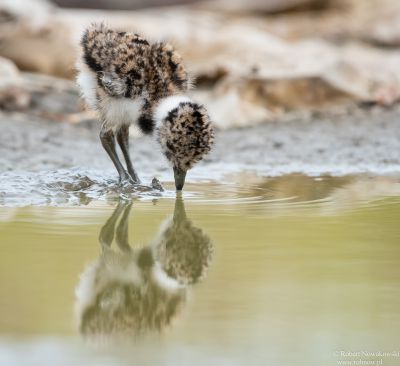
(57, 163)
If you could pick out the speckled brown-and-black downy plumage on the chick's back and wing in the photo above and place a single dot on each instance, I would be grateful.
(126, 65)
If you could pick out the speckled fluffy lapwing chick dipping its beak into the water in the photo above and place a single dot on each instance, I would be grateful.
(131, 81)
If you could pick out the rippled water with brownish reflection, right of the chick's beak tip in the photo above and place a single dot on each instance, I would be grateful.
(297, 192)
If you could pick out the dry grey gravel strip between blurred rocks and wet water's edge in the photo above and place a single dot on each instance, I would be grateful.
(366, 142)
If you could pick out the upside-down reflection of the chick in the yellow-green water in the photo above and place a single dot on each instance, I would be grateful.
(129, 291)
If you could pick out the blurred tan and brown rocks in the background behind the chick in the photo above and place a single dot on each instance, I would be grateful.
(253, 61)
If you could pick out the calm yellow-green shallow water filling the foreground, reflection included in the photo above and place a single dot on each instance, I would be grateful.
(288, 270)
